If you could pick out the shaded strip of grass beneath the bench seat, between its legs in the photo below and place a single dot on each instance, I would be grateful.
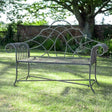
(72, 69)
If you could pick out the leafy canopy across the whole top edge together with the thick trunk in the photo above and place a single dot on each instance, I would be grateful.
(85, 11)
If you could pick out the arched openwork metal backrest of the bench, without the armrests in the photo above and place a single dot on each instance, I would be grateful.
(62, 36)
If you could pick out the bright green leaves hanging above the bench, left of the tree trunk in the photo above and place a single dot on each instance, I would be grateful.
(44, 9)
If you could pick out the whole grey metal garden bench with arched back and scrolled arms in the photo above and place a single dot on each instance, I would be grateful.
(72, 43)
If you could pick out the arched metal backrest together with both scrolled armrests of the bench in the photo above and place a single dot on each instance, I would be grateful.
(67, 38)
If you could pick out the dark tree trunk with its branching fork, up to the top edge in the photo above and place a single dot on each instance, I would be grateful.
(85, 16)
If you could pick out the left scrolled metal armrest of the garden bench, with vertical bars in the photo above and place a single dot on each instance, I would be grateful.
(21, 50)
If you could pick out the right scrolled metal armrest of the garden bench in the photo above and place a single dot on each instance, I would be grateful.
(94, 51)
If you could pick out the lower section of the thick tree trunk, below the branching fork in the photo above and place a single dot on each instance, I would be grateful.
(87, 26)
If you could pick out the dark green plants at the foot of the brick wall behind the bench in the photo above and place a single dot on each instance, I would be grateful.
(82, 46)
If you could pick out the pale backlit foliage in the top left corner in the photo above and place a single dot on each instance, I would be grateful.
(13, 9)
